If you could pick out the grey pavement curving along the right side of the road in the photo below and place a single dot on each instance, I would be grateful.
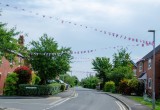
(131, 105)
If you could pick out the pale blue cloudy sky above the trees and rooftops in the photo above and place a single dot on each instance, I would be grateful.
(81, 25)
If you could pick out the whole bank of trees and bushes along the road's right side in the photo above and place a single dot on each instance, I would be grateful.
(115, 76)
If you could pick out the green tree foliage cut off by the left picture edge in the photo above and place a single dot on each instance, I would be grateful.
(9, 46)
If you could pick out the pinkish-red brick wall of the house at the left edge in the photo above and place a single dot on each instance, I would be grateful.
(5, 68)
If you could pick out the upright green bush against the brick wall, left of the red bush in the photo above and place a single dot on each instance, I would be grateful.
(11, 84)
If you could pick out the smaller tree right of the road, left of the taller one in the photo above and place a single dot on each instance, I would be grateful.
(103, 68)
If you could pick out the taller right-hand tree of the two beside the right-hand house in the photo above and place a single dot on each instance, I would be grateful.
(122, 67)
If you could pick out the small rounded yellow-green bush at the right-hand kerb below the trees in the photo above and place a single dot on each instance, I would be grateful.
(109, 86)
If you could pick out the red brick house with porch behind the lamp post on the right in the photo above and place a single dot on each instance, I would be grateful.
(145, 71)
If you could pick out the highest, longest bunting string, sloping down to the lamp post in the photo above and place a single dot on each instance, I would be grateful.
(62, 21)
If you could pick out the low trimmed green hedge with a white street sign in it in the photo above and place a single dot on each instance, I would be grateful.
(38, 90)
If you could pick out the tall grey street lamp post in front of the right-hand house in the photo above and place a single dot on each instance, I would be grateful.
(153, 84)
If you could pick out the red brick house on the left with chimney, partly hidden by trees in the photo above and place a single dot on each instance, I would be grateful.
(7, 67)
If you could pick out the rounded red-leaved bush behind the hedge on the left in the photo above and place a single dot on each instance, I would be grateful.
(24, 74)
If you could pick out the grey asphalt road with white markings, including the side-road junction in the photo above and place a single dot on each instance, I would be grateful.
(84, 99)
